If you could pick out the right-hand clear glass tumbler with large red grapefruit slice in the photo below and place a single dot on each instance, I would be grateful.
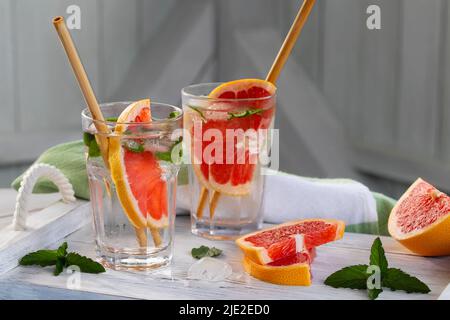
(224, 141)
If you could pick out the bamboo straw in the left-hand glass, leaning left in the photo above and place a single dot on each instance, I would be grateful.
(91, 100)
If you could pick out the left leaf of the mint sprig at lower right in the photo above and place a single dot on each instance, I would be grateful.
(352, 277)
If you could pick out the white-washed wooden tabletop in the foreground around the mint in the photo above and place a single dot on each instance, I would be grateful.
(172, 283)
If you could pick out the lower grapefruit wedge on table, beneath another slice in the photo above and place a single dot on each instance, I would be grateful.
(293, 271)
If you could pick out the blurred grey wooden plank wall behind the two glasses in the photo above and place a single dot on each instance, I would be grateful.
(358, 103)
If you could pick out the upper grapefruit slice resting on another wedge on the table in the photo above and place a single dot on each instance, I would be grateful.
(286, 240)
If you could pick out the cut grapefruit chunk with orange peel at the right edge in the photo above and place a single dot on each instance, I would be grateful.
(421, 220)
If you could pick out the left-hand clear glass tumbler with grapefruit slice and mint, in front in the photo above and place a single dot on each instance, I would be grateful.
(133, 194)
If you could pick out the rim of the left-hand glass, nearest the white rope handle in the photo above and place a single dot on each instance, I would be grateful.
(86, 114)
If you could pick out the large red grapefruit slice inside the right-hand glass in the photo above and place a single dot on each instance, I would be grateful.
(234, 179)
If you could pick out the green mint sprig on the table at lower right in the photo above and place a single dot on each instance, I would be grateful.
(357, 276)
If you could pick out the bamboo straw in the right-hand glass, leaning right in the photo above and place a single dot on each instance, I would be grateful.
(272, 77)
